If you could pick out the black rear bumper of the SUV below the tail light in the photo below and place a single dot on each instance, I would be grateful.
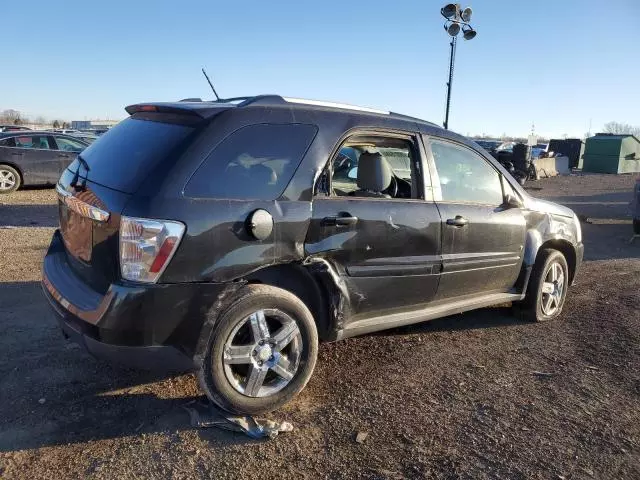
(154, 327)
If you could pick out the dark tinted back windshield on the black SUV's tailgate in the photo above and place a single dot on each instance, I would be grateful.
(124, 156)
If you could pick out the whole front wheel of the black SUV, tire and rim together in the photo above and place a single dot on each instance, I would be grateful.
(532, 308)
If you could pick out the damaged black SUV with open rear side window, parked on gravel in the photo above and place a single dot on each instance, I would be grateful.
(228, 237)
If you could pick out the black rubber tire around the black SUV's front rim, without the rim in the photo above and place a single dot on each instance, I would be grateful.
(531, 308)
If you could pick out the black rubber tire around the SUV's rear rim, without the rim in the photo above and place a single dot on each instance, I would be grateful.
(211, 375)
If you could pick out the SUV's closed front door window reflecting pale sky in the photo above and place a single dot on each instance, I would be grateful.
(465, 177)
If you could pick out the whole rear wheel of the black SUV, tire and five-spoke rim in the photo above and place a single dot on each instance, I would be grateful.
(227, 384)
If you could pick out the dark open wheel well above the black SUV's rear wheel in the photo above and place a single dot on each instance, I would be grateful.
(297, 280)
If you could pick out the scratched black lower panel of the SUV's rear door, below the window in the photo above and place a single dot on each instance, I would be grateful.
(389, 258)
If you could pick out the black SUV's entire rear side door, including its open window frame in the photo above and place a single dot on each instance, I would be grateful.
(386, 249)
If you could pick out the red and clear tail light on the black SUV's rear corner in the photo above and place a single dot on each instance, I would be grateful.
(146, 247)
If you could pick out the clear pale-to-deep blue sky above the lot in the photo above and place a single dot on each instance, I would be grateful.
(559, 64)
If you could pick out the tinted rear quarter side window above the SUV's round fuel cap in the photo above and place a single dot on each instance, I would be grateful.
(254, 162)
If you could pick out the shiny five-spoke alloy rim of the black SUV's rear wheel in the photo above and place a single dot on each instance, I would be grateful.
(262, 353)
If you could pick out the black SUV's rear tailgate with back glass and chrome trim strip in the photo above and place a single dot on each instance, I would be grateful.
(94, 190)
